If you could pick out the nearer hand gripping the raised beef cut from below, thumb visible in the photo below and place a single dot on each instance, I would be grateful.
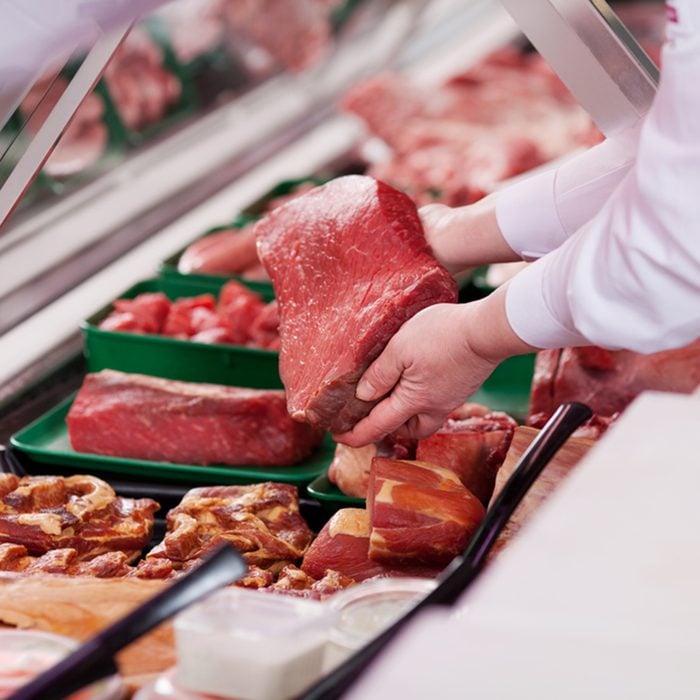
(435, 361)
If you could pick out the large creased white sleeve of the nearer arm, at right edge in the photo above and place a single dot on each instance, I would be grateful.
(630, 278)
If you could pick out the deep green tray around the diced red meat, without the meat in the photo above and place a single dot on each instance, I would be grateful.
(173, 358)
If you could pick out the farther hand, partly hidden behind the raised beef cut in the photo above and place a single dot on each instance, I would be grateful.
(464, 237)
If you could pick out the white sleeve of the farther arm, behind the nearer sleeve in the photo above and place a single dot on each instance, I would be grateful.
(538, 213)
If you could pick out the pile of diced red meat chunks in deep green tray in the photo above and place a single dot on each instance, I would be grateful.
(240, 317)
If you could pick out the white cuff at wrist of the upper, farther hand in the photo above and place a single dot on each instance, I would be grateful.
(526, 213)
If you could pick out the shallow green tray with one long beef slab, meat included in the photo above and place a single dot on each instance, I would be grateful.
(154, 429)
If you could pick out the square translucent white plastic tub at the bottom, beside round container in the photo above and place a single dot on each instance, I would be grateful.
(250, 645)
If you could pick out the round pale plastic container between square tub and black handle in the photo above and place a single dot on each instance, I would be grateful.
(366, 610)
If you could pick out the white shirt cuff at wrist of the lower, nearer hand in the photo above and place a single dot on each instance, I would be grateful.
(529, 314)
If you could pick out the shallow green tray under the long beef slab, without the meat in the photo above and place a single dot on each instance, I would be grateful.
(46, 441)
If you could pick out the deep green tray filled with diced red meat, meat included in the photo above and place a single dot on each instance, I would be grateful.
(219, 333)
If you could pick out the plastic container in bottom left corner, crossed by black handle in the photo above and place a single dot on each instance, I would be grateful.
(25, 654)
